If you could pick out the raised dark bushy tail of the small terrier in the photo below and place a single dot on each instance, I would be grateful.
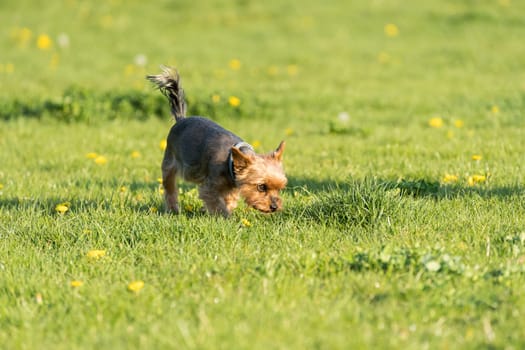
(169, 84)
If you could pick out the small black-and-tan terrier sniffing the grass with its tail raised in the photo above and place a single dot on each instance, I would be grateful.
(220, 162)
